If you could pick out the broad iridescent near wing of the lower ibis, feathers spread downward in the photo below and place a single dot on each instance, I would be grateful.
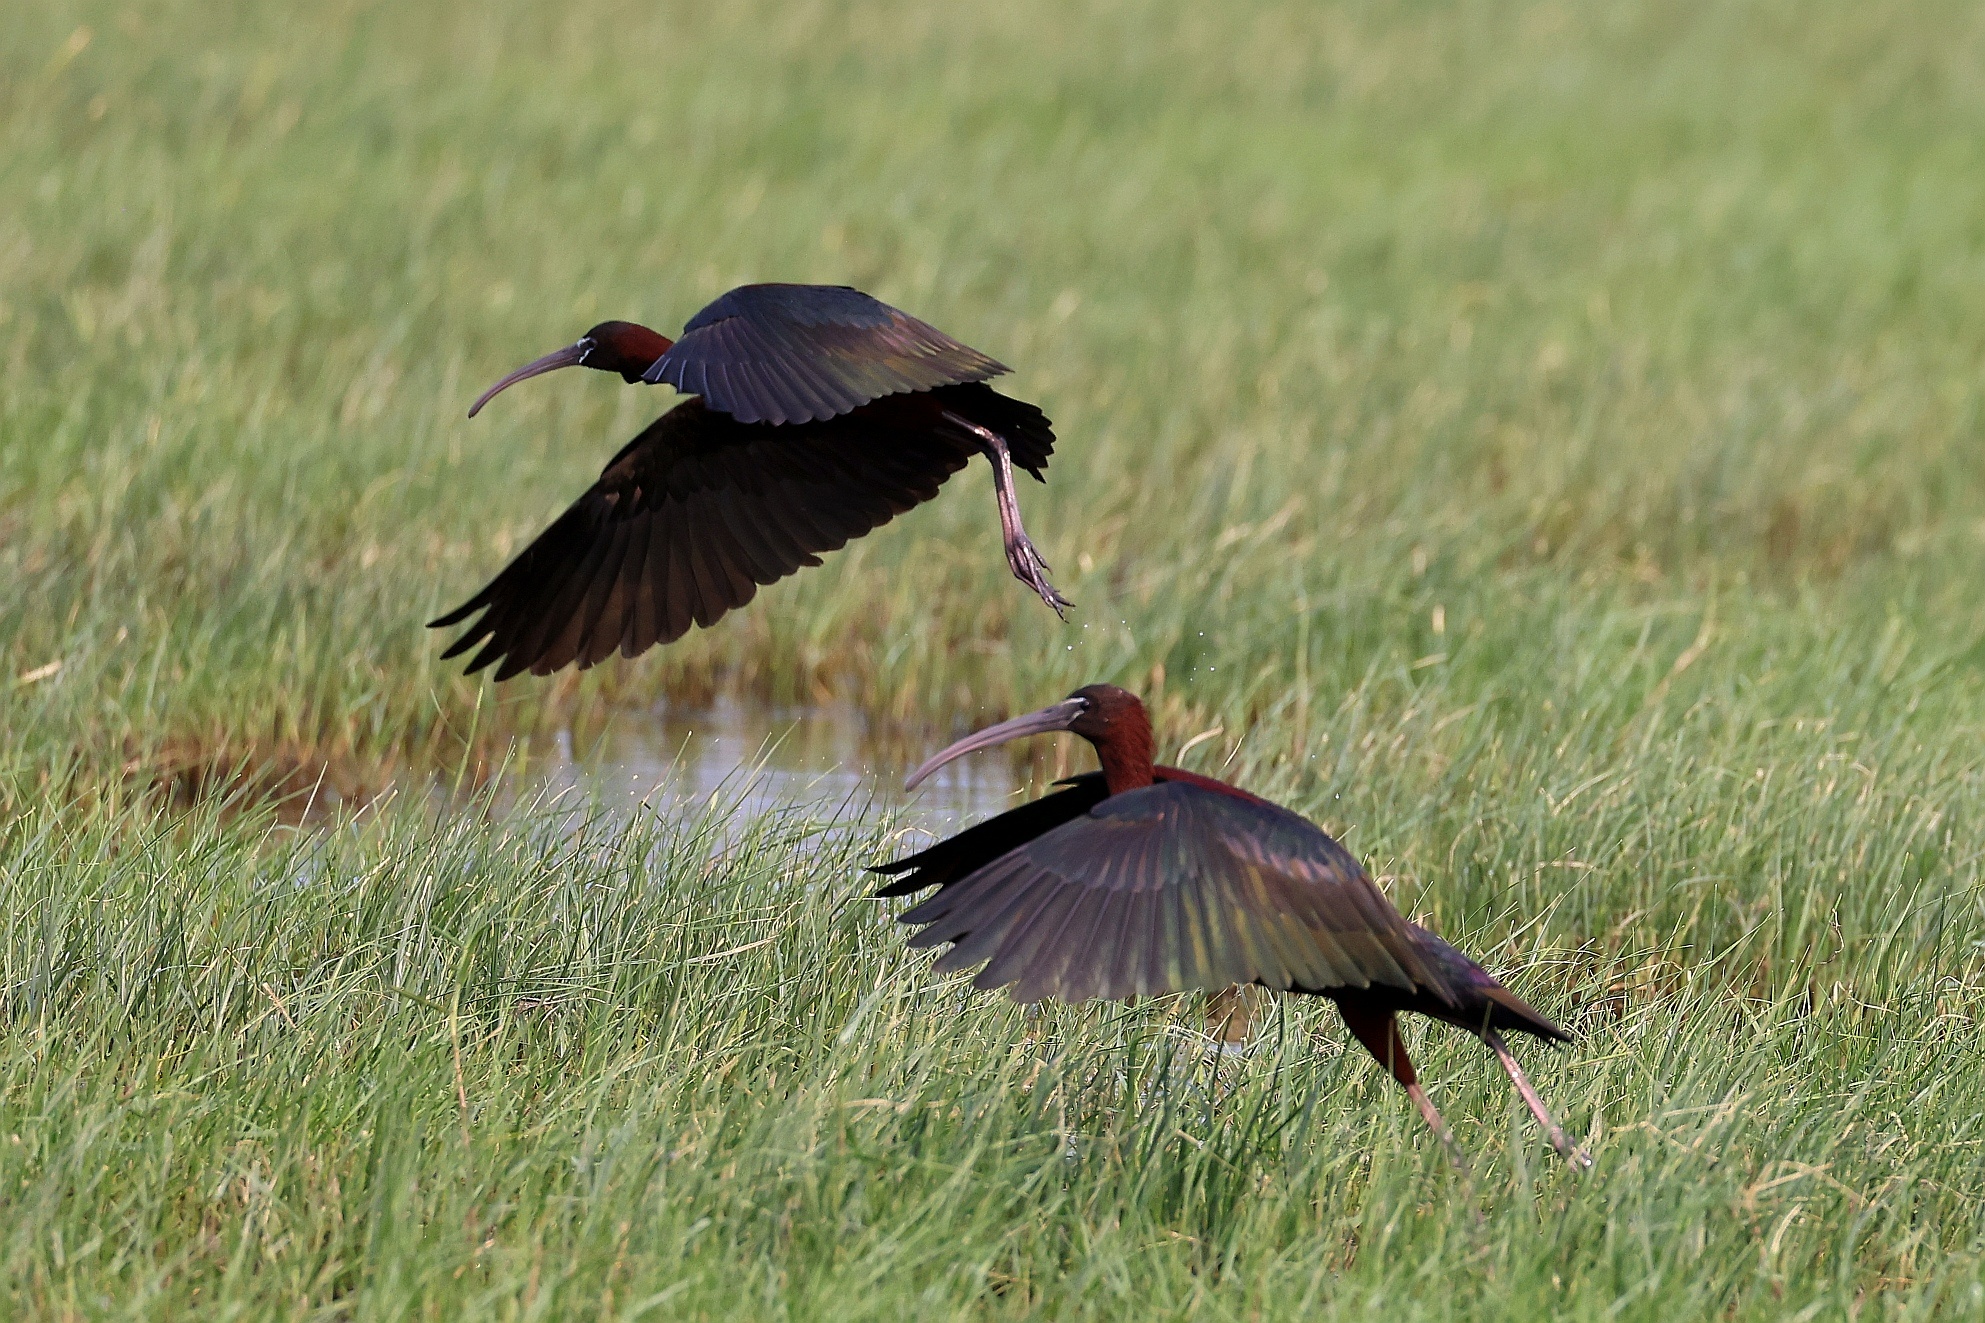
(1168, 889)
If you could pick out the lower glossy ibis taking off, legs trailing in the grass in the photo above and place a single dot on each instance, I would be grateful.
(1144, 879)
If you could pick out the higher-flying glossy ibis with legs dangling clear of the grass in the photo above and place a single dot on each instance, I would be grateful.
(817, 416)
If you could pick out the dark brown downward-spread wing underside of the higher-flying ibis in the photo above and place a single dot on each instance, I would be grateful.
(688, 521)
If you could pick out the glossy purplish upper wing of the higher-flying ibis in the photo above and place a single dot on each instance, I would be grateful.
(809, 353)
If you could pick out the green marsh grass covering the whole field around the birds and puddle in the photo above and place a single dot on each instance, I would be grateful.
(1543, 438)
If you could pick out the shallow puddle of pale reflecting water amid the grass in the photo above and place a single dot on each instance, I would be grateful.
(753, 758)
